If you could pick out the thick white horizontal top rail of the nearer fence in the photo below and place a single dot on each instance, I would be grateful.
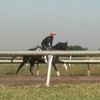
(49, 52)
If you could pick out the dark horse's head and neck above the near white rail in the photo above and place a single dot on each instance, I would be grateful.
(61, 46)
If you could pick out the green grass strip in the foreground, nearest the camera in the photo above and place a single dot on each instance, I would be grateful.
(62, 92)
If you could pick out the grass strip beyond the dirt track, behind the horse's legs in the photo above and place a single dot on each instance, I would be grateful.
(76, 69)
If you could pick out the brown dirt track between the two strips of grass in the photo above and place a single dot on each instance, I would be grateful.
(36, 80)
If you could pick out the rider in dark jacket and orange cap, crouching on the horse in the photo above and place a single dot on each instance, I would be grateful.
(47, 43)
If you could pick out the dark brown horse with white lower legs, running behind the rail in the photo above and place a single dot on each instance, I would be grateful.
(40, 59)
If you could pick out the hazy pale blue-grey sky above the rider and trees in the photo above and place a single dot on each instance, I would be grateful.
(25, 23)
